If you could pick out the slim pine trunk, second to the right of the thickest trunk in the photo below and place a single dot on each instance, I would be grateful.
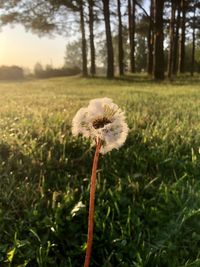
(176, 40)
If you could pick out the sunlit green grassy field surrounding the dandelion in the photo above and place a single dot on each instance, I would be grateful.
(148, 193)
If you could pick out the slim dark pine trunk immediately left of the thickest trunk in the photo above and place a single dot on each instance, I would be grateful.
(150, 41)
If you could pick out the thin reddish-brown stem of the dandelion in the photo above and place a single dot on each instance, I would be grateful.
(91, 206)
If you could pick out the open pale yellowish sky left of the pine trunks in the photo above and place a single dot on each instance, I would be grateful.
(22, 48)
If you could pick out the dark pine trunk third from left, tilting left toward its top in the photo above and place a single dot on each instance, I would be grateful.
(110, 56)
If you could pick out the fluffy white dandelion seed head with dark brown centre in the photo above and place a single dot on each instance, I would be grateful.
(103, 120)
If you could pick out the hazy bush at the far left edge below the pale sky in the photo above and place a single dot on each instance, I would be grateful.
(11, 73)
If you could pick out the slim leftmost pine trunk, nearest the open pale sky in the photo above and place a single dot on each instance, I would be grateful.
(84, 47)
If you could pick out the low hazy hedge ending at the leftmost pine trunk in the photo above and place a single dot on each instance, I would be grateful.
(51, 72)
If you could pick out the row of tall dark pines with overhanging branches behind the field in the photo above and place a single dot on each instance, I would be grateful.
(166, 32)
